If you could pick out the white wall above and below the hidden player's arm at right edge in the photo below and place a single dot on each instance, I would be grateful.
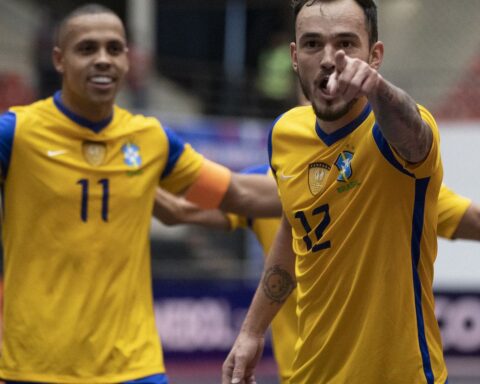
(458, 262)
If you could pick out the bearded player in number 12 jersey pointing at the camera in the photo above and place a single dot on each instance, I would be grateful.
(358, 174)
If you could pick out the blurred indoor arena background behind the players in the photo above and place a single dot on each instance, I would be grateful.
(217, 72)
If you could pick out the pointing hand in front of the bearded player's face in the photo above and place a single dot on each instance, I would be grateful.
(352, 78)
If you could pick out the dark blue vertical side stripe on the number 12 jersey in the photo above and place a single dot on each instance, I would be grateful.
(421, 186)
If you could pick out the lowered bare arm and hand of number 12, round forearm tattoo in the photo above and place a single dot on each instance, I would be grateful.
(276, 284)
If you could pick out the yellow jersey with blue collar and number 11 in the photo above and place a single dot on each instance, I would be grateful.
(78, 199)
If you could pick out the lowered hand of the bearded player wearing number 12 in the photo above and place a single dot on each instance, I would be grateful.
(239, 366)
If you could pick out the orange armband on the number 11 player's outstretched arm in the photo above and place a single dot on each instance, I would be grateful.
(208, 190)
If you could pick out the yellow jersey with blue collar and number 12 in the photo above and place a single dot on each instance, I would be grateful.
(364, 234)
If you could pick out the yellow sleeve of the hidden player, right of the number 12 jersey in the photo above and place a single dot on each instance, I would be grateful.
(451, 208)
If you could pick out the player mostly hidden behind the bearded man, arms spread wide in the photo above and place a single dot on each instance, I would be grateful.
(458, 218)
